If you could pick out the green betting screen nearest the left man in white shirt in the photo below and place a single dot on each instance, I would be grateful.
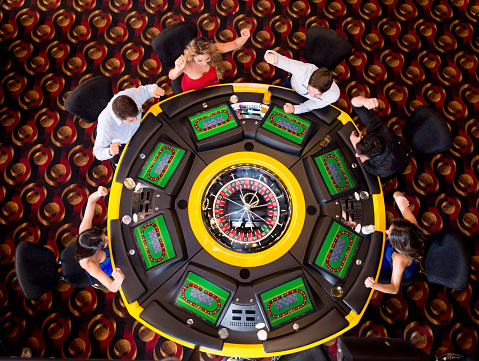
(162, 164)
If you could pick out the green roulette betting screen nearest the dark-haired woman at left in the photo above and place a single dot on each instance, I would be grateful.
(154, 242)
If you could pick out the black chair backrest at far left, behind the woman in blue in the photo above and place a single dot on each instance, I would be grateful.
(36, 269)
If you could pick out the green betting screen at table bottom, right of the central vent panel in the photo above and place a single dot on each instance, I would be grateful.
(287, 301)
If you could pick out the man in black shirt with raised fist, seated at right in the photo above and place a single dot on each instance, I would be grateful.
(378, 150)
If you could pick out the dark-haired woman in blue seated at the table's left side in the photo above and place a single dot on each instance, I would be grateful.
(91, 248)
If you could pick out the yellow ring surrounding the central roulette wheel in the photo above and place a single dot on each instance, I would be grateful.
(247, 259)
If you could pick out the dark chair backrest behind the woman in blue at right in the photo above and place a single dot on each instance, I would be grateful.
(447, 261)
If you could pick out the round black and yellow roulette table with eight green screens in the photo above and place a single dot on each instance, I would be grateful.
(239, 227)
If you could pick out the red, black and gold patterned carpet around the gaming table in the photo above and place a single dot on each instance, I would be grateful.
(405, 53)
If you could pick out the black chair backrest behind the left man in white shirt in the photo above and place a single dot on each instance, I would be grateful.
(89, 98)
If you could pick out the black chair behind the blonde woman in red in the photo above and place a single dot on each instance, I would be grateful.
(170, 43)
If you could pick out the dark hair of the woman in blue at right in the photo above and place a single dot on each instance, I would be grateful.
(407, 239)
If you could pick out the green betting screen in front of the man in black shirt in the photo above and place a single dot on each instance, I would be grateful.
(334, 172)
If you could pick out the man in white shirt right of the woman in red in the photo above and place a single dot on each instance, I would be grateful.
(308, 80)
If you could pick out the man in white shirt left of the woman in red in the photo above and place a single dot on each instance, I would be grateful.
(120, 120)
